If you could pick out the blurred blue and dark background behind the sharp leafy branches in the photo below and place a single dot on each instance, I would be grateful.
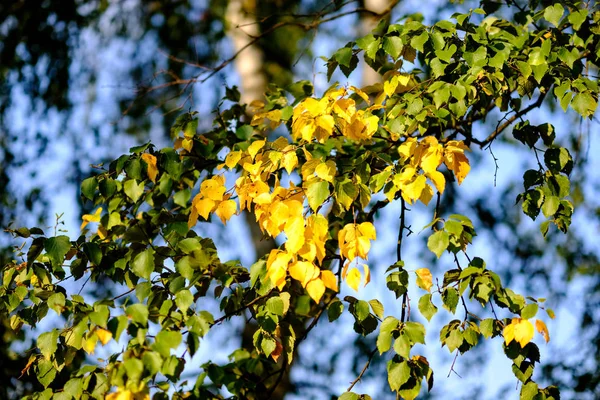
(81, 81)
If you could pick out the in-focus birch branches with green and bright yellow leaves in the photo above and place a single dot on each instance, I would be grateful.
(316, 171)
